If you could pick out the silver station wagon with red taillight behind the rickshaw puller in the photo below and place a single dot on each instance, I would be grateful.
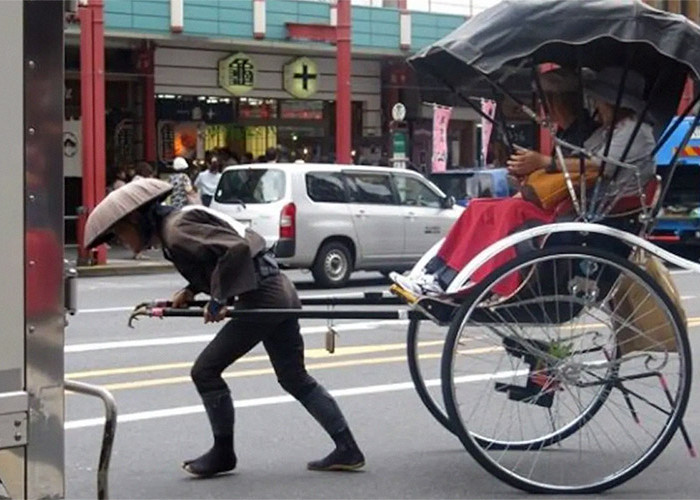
(335, 219)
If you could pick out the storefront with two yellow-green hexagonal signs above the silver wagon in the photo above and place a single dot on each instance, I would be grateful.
(247, 102)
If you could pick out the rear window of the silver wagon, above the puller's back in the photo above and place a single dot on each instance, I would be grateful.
(251, 186)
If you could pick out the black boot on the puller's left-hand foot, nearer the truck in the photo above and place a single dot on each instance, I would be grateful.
(221, 457)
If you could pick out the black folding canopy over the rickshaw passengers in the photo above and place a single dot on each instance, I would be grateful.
(589, 33)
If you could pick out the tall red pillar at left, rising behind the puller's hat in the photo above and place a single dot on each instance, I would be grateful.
(92, 95)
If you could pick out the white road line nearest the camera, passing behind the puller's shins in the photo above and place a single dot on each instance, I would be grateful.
(275, 400)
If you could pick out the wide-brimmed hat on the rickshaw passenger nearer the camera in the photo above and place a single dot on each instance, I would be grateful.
(605, 84)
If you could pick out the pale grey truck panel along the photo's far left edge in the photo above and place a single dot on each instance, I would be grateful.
(12, 461)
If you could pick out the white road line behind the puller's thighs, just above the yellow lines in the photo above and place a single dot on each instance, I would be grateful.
(192, 339)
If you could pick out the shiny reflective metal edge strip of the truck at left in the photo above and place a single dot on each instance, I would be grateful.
(43, 122)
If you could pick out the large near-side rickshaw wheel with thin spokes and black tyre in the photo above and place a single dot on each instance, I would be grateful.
(572, 360)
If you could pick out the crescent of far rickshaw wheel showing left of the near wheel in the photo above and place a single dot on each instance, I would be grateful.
(418, 365)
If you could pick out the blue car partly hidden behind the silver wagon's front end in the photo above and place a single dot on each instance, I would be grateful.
(467, 183)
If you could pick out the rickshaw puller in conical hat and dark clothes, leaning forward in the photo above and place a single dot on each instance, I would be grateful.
(222, 258)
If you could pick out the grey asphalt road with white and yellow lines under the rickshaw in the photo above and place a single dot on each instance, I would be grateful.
(409, 455)
